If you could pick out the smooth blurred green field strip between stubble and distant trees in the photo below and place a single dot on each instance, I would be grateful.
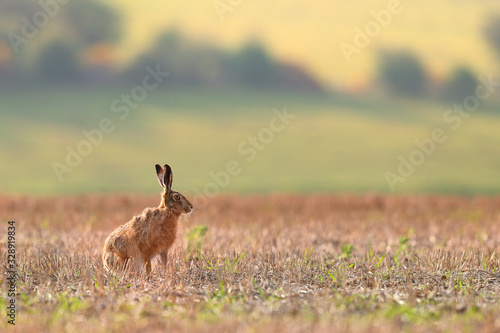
(332, 144)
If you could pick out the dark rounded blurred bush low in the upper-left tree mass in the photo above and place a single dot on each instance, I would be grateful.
(58, 63)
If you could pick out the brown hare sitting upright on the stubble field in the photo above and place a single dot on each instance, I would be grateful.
(151, 233)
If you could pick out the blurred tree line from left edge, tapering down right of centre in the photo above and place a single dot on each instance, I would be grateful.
(75, 43)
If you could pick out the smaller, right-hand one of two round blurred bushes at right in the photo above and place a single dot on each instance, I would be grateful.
(462, 83)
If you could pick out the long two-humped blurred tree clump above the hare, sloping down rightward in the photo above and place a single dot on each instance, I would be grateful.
(195, 63)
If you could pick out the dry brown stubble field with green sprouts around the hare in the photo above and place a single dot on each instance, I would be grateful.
(315, 263)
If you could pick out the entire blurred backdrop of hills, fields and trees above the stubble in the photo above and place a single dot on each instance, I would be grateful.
(283, 96)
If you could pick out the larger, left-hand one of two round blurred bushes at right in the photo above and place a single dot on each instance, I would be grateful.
(402, 73)
